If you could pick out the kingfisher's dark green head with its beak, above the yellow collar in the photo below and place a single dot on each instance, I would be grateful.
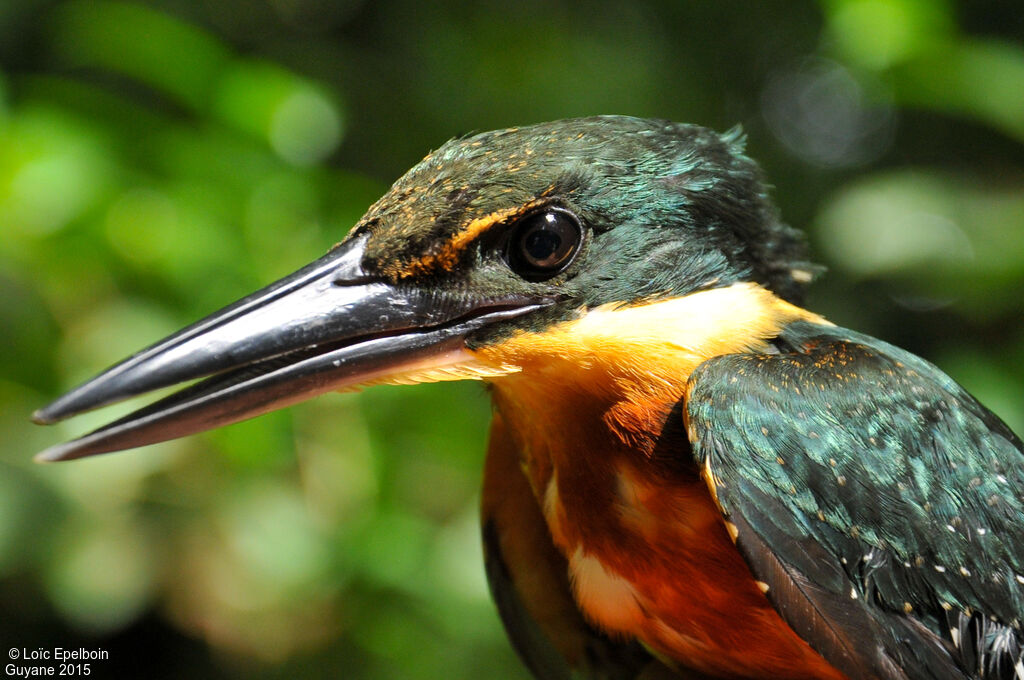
(492, 237)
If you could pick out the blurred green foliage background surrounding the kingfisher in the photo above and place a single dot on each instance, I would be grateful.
(161, 159)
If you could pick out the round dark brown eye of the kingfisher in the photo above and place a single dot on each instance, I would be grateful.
(544, 244)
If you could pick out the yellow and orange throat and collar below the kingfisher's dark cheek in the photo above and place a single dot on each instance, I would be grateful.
(626, 367)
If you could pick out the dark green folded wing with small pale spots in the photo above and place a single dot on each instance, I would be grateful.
(881, 503)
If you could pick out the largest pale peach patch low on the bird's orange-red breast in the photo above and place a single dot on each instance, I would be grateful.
(607, 598)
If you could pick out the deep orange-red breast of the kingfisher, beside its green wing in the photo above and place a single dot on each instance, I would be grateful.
(648, 550)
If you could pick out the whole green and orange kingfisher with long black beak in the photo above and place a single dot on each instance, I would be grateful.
(689, 476)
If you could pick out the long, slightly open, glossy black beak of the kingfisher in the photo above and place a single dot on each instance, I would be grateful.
(327, 327)
